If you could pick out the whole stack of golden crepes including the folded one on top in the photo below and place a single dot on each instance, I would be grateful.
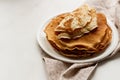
(82, 33)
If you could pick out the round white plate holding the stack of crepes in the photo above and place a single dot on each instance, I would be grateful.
(44, 44)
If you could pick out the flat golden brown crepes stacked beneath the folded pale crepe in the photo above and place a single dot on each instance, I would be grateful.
(86, 46)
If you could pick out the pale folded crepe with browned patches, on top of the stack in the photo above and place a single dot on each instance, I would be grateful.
(77, 23)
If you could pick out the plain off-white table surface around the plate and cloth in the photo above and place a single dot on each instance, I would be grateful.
(20, 55)
